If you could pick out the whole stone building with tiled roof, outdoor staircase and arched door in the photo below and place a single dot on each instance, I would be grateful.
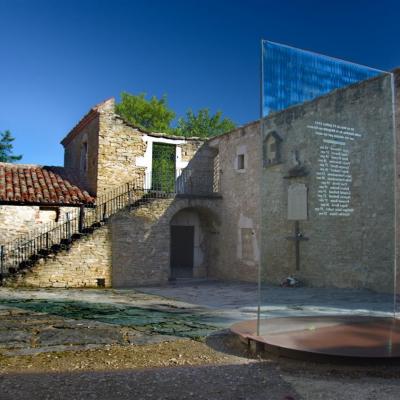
(146, 186)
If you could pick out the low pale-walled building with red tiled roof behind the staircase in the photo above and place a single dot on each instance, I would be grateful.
(32, 196)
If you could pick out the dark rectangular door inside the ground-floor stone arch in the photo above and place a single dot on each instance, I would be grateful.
(182, 251)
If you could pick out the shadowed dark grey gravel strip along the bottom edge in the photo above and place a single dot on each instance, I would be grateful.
(258, 381)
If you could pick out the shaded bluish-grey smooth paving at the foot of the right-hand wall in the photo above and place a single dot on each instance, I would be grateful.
(243, 297)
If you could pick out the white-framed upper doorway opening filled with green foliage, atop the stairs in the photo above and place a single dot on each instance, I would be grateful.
(163, 167)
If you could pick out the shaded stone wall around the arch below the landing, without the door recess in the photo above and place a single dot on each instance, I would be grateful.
(141, 240)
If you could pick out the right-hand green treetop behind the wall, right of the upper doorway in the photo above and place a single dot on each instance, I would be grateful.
(203, 124)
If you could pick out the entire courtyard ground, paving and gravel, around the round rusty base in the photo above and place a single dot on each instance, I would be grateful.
(171, 342)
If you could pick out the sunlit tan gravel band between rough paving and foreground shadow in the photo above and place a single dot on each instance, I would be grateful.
(115, 357)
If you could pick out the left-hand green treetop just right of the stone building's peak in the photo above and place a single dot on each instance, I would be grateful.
(150, 115)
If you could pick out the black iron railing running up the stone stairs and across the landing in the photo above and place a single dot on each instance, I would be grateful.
(22, 253)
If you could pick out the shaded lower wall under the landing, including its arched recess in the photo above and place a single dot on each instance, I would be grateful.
(141, 241)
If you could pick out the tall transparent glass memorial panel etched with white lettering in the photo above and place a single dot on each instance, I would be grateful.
(328, 182)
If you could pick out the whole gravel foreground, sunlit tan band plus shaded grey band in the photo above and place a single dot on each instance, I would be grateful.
(187, 369)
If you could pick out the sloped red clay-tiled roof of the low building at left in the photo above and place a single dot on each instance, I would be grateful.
(34, 184)
